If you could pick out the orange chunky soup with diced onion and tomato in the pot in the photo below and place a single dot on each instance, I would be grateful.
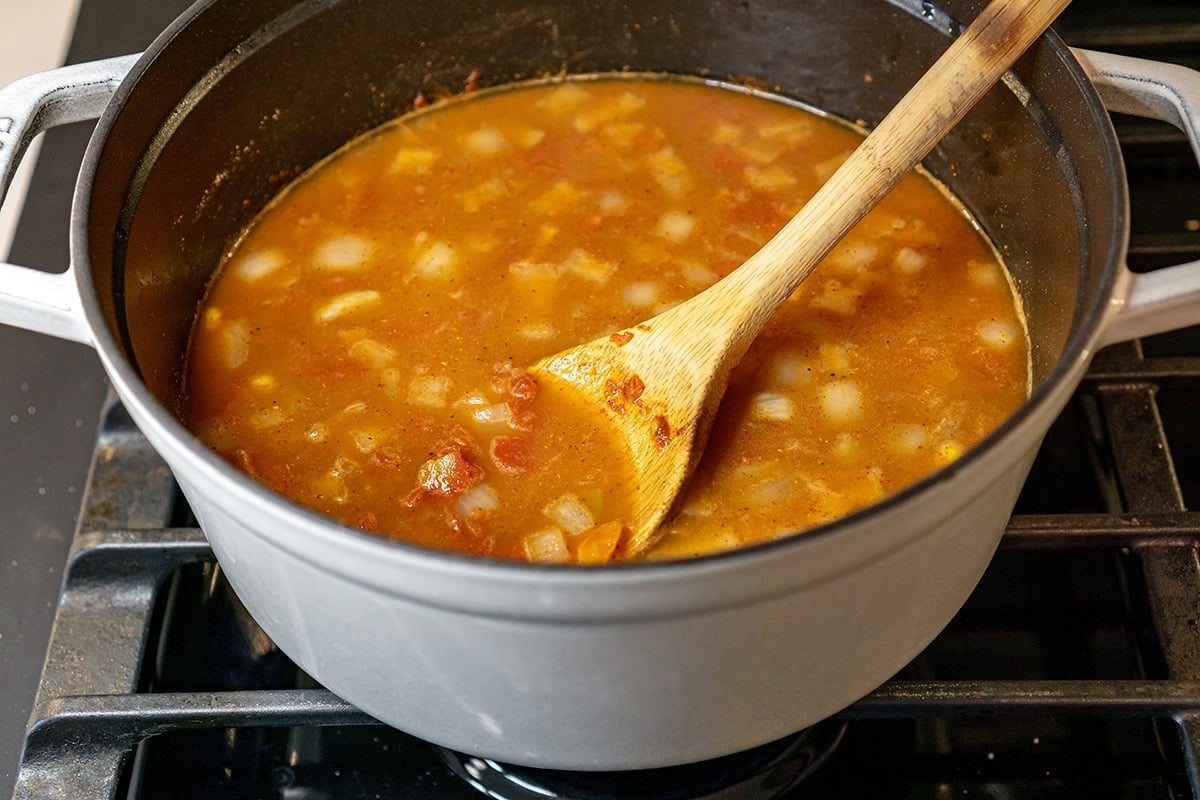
(363, 348)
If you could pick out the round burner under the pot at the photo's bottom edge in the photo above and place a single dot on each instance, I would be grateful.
(765, 772)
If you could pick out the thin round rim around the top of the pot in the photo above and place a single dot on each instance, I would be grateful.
(172, 436)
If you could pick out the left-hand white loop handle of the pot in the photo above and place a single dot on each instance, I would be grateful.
(49, 303)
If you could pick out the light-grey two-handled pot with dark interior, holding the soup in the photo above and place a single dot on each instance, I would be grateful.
(637, 665)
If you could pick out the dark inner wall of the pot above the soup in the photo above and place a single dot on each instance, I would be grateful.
(244, 98)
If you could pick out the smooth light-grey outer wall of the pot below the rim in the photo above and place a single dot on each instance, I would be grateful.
(603, 670)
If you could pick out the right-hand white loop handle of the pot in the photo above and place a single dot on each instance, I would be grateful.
(1167, 299)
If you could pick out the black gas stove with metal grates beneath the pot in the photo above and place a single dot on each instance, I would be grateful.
(1072, 672)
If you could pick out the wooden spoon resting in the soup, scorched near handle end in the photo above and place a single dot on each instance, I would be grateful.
(662, 382)
